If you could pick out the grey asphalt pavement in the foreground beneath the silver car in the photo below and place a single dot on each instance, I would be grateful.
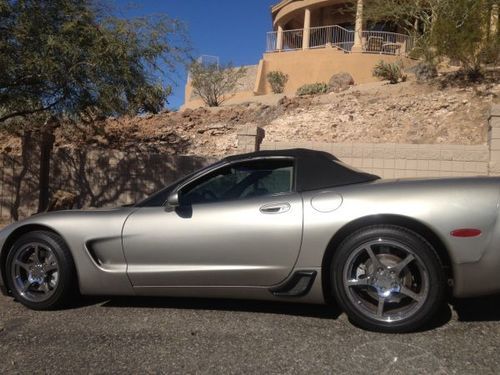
(216, 336)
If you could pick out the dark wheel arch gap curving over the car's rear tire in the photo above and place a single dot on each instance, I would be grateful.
(382, 219)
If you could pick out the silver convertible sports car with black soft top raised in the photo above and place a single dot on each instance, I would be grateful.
(291, 225)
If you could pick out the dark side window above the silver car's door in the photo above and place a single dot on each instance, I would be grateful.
(240, 181)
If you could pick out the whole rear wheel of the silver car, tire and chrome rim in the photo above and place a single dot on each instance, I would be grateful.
(395, 286)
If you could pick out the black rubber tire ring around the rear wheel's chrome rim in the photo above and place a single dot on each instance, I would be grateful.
(420, 247)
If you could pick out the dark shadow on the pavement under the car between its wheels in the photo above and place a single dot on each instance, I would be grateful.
(267, 307)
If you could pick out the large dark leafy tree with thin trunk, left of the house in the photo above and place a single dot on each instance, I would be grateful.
(71, 61)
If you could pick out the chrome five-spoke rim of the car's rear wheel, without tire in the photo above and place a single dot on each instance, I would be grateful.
(385, 280)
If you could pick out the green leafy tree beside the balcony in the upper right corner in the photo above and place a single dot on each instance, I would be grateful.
(453, 29)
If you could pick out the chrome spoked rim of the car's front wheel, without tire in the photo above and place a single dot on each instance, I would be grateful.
(35, 272)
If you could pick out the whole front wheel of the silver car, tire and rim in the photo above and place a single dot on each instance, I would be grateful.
(40, 271)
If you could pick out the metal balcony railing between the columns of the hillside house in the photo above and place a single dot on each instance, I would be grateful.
(338, 37)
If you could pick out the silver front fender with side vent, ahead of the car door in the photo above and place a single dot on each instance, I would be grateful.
(101, 229)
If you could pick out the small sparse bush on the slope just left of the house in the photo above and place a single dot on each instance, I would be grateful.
(214, 83)
